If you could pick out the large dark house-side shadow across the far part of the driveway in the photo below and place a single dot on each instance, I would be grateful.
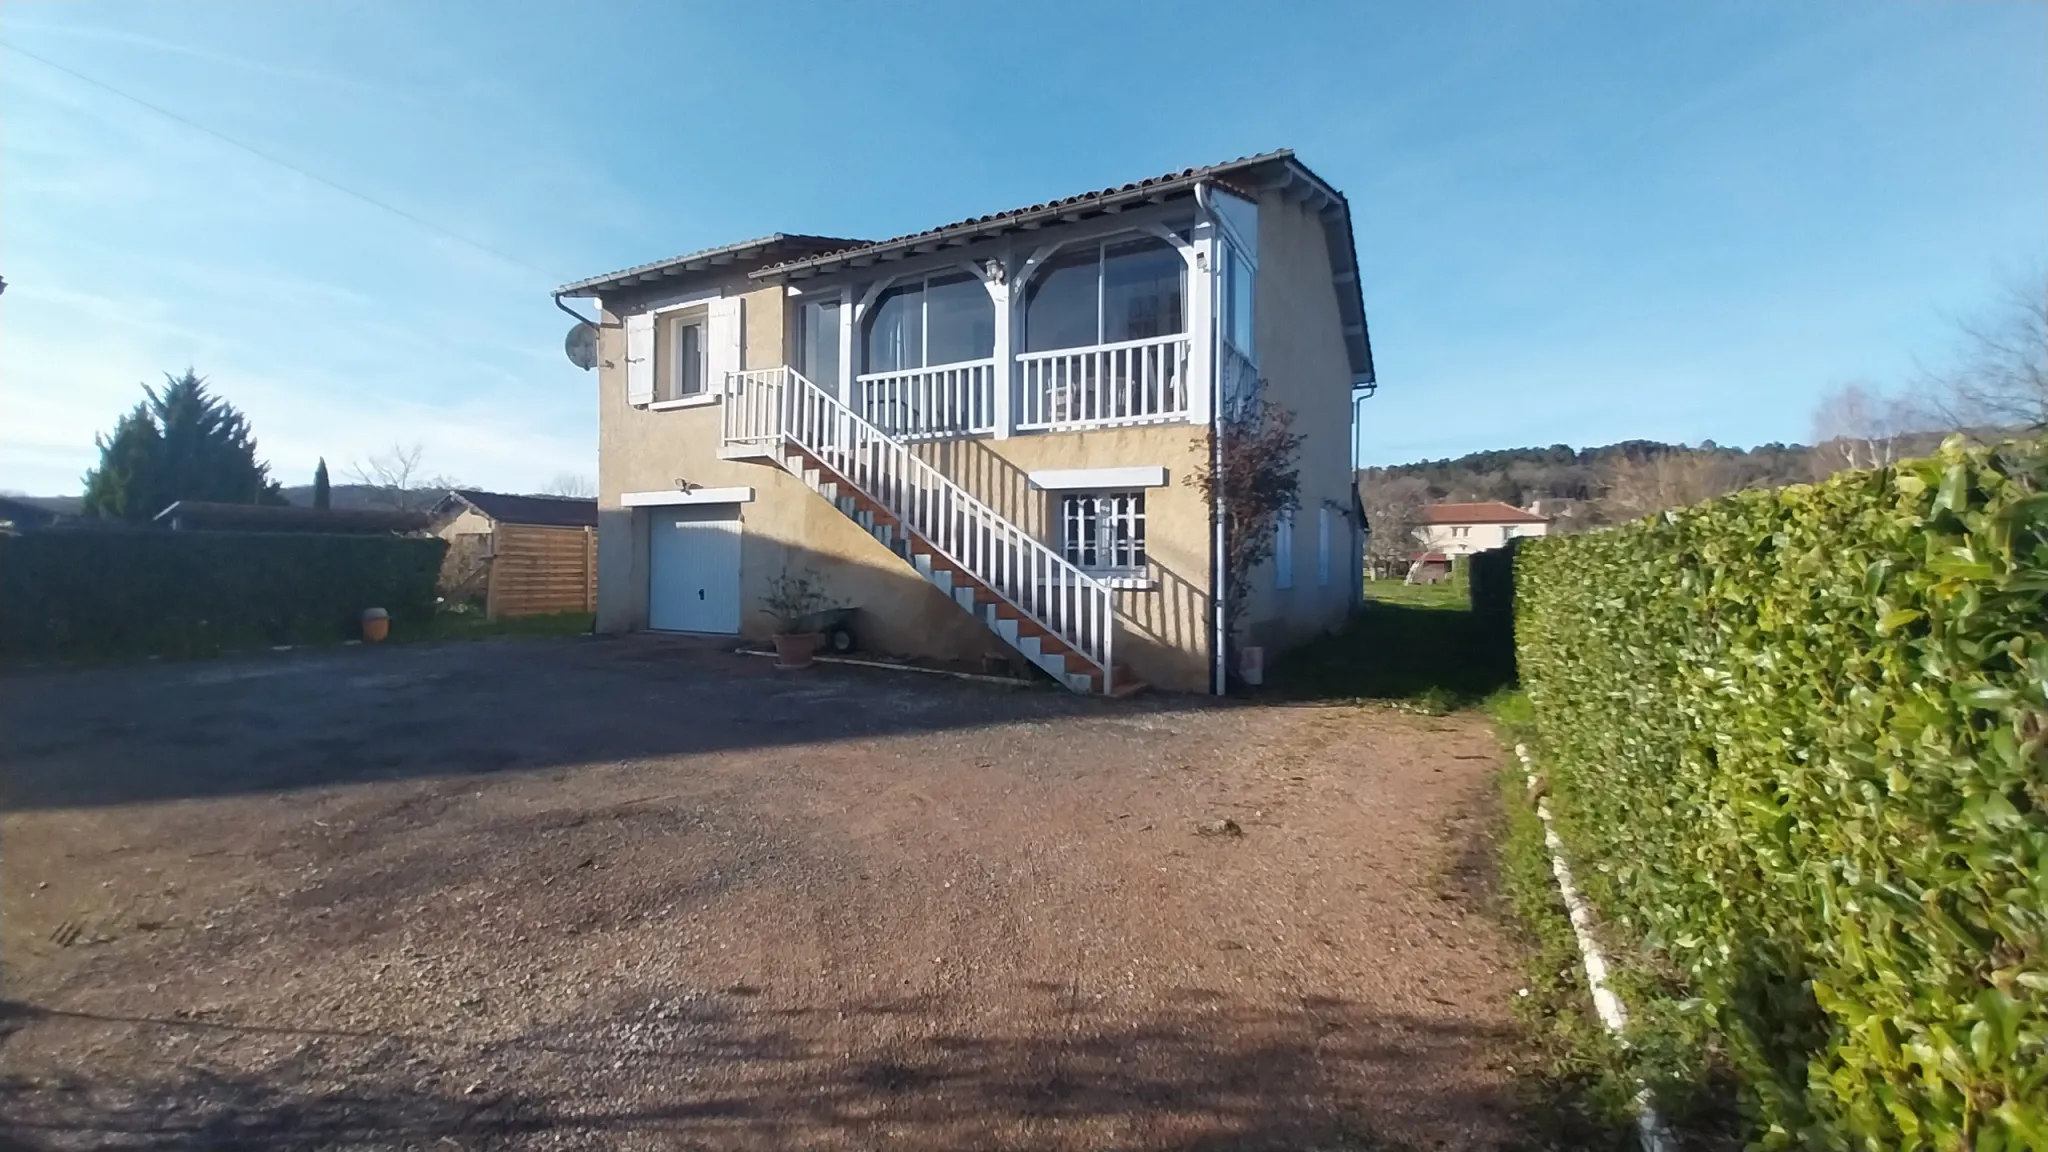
(302, 721)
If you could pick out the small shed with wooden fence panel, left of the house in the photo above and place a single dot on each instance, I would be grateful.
(519, 554)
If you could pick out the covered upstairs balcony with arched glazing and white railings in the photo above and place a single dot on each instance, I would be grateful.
(1082, 333)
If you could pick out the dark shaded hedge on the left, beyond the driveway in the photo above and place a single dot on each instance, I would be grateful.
(128, 593)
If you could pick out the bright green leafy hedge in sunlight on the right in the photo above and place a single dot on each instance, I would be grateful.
(1797, 751)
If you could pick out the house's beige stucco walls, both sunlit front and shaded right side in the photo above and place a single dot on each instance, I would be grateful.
(1166, 628)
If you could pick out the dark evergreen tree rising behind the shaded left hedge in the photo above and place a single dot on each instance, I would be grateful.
(181, 444)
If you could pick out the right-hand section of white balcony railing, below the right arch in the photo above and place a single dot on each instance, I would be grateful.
(1132, 382)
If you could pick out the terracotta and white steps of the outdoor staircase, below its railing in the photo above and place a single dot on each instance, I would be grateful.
(1023, 634)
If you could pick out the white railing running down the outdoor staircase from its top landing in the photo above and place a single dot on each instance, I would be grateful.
(771, 407)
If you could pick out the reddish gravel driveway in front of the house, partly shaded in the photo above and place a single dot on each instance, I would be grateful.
(644, 895)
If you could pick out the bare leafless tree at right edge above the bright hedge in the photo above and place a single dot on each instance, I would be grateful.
(2002, 378)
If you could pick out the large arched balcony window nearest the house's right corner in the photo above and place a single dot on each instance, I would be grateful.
(1103, 294)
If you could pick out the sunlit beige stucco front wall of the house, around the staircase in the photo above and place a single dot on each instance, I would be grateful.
(1166, 628)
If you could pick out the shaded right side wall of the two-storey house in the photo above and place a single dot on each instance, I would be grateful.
(1308, 370)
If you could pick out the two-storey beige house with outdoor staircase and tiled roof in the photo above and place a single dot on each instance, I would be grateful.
(984, 436)
